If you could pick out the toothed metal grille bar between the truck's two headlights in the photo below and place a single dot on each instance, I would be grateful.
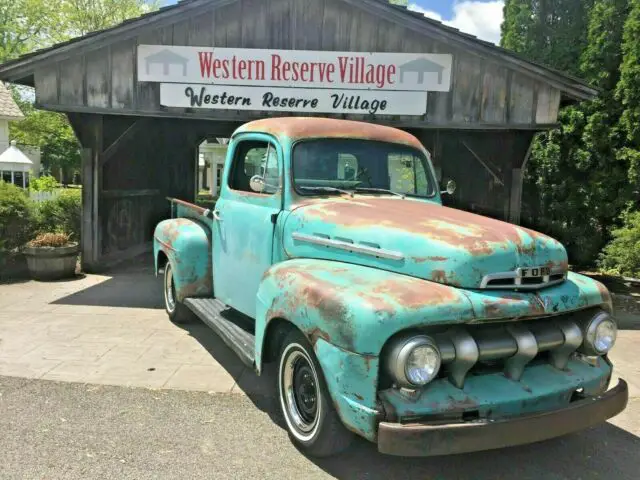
(507, 347)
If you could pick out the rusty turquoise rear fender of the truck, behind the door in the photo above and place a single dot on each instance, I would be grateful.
(187, 245)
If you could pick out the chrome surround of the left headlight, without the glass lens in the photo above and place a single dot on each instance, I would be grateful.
(399, 352)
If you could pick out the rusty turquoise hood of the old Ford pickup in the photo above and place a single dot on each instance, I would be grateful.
(416, 238)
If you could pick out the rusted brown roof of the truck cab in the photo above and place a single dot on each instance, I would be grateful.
(296, 128)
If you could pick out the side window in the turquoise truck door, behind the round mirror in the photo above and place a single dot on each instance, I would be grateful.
(255, 158)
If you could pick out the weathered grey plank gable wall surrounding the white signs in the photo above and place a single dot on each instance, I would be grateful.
(484, 94)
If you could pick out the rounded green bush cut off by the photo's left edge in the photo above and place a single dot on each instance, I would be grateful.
(16, 221)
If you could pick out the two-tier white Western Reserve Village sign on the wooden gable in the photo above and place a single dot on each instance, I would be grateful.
(294, 80)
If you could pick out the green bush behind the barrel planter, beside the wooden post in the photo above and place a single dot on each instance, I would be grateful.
(62, 214)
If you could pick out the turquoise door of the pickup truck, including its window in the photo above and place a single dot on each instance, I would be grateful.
(245, 220)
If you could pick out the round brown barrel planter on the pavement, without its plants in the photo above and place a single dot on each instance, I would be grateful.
(52, 263)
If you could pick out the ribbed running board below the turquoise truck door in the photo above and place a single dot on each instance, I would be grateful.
(231, 326)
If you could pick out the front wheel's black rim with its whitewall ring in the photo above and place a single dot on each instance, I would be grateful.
(300, 388)
